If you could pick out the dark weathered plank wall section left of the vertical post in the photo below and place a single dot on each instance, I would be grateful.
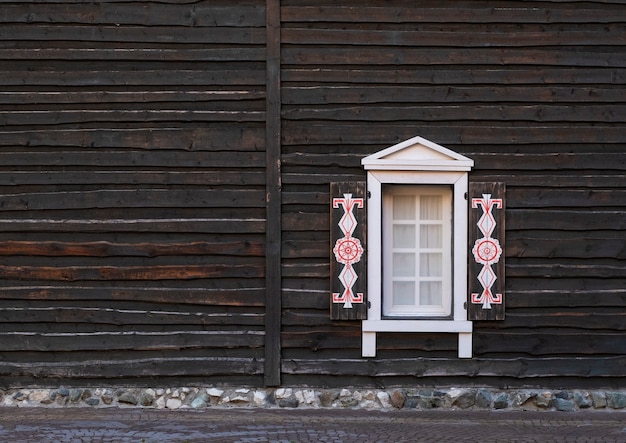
(132, 191)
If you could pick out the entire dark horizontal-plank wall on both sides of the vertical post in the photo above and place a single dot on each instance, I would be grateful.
(136, 177)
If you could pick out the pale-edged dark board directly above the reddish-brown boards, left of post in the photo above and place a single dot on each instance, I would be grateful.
(199, 225)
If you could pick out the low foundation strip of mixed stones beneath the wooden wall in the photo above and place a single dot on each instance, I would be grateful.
(388, 399)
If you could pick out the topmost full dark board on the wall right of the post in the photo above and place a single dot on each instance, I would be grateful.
(479, 12)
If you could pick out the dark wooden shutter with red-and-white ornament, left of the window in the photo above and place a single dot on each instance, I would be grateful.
(347, 261)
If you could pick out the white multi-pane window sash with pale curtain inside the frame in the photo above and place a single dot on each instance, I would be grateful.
(417, 251)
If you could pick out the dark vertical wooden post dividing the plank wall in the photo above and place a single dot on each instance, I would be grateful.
(273, 197)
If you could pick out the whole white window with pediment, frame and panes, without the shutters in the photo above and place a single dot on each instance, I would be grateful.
(417, 242)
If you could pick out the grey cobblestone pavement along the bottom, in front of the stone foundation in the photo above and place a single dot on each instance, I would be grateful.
(81, 425)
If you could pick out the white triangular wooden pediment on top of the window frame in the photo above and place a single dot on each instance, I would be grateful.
(417, 154)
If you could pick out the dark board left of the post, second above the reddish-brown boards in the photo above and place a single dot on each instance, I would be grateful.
(136, 198)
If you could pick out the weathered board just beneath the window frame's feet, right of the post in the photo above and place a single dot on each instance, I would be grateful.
(523, 368)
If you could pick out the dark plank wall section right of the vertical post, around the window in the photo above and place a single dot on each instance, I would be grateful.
(534, 93)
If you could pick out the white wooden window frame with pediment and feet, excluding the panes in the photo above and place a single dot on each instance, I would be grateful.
(411, 163)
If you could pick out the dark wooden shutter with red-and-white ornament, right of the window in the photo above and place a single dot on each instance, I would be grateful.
(486, 236)
